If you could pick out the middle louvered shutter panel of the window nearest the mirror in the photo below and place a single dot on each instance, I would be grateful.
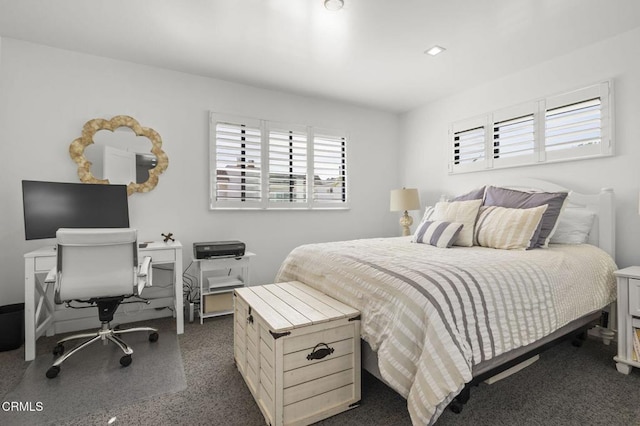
(287, 166)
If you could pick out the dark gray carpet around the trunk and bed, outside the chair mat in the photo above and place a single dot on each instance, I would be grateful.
(567, 386)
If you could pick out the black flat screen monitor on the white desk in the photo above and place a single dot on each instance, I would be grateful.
(49, 206)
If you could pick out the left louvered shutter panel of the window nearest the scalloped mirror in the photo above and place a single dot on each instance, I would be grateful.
(237, 159)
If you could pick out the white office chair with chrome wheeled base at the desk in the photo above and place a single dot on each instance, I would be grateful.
(100, 267)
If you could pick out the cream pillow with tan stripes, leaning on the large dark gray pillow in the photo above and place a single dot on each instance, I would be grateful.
(507, 228)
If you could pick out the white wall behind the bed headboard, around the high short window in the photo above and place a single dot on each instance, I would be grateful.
(426, 142)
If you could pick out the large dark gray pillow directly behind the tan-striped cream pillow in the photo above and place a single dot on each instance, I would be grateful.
(503, 197)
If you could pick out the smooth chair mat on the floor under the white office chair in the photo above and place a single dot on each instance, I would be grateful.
(93, 379)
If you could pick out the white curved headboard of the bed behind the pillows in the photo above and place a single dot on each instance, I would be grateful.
(603, 231)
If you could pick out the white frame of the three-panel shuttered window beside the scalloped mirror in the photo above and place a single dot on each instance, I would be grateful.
(268, 161)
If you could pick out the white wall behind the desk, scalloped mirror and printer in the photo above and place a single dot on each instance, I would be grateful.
(46, 96)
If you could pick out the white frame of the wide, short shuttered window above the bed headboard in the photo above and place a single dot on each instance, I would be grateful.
(538, 109)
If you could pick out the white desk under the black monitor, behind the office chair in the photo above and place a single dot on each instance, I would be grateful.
(42, 316)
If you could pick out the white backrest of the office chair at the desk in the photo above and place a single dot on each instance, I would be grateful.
(95, 263)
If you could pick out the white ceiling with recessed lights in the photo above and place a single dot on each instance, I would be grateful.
(369, 53)
